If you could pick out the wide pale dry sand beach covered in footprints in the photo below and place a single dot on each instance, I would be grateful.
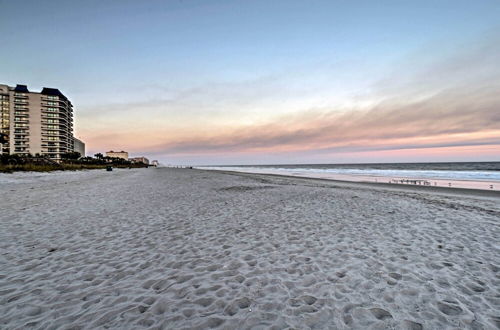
(179, 248)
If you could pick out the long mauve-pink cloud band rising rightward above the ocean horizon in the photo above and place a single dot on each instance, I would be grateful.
(457, 114)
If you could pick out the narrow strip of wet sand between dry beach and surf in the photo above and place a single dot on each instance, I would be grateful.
(413, 188)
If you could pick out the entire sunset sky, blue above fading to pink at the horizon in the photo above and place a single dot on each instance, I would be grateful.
(209, 82)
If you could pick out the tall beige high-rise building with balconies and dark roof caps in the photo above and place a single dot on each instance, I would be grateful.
(36, 122)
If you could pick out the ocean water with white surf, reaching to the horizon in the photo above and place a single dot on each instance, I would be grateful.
(478, 175)
